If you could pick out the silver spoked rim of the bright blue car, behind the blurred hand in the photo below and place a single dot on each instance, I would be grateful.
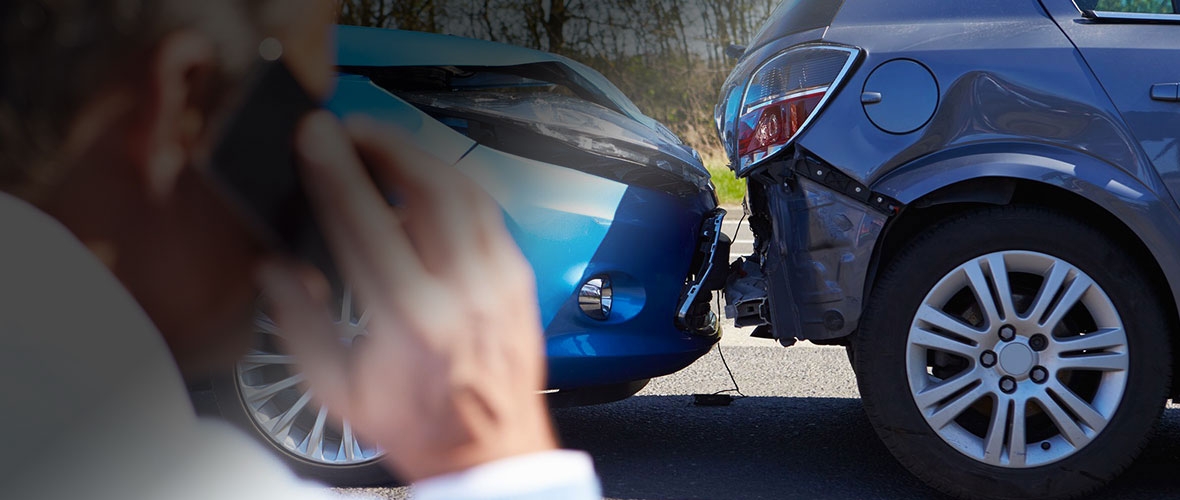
(280, 405)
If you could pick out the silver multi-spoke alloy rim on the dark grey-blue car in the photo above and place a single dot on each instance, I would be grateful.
(1024, 383)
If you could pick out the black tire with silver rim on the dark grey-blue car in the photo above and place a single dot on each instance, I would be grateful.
(942, 406)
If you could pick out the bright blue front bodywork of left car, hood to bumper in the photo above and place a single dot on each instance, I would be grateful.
(572, 226)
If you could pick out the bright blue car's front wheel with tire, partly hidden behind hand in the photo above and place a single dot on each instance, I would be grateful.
(244, 398)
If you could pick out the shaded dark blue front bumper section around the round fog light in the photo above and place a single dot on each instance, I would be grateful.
(648, 253)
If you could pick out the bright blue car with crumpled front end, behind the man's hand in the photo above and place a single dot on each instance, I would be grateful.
(618, 218)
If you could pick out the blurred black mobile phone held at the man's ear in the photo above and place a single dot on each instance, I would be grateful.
(253, 163)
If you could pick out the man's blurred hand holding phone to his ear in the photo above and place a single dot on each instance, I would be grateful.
(450, 372)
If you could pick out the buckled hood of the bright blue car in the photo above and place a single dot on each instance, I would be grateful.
(604, 122)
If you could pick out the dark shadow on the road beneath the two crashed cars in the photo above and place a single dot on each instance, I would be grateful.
(664, 448)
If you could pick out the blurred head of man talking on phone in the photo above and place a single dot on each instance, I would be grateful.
(104, 108)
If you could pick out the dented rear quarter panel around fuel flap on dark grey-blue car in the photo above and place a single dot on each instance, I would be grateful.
(1005, 73)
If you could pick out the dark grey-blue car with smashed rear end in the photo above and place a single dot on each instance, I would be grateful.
(979, 199)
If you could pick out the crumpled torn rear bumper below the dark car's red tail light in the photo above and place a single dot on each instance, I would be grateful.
(815, 240)
